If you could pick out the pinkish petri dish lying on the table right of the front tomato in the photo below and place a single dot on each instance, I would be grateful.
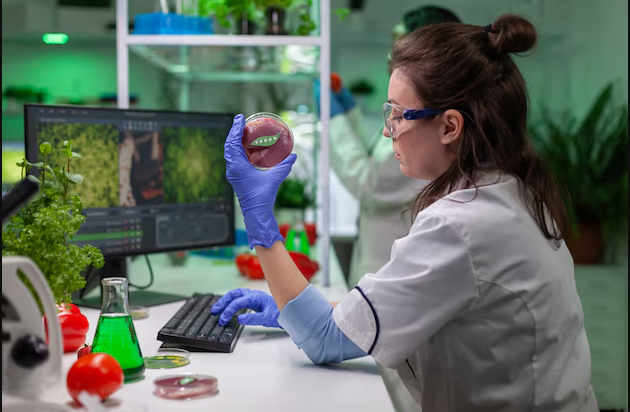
(185, 386)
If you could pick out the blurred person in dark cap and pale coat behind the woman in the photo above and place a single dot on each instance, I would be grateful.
(365, 164)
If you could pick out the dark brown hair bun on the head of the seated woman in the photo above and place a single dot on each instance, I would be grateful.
(512, 34)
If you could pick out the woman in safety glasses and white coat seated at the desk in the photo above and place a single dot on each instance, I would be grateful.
(477, 308)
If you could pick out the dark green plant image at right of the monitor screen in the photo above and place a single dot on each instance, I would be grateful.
(194, 168)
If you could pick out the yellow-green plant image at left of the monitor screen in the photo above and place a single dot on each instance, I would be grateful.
(98, 146)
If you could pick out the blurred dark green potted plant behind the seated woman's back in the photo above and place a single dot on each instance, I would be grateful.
(590, 158)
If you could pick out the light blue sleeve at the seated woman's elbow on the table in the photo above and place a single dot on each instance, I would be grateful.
(308, 320)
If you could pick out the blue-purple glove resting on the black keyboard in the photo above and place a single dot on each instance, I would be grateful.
(266, 310)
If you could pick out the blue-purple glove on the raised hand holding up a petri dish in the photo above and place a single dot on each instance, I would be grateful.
(256, 189)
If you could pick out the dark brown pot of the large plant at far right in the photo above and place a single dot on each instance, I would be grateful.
(587, 245)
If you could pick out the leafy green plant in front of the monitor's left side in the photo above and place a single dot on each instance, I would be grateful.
(43, 227)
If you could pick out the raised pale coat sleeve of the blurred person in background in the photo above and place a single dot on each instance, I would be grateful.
(366, 166)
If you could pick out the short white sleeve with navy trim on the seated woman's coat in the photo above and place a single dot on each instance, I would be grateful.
(428, 282)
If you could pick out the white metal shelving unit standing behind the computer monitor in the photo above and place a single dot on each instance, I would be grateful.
(125, 41)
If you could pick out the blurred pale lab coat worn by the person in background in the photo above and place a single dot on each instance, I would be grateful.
(365, 164)
